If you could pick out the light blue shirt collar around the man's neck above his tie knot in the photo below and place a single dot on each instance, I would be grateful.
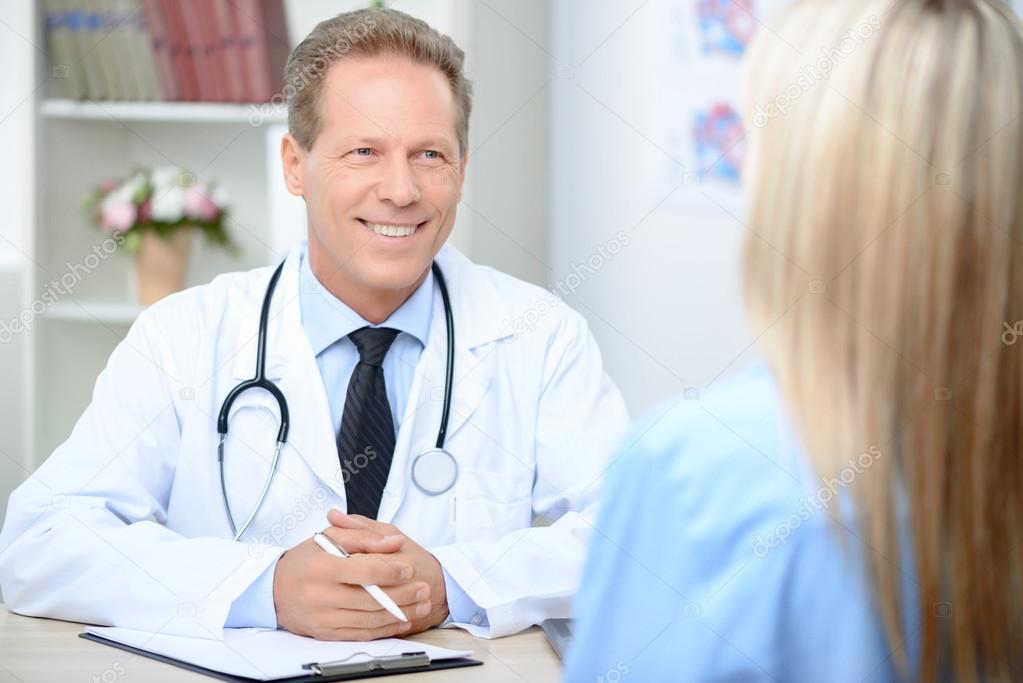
(327, 320)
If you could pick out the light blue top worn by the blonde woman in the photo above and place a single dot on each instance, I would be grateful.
(715, 558)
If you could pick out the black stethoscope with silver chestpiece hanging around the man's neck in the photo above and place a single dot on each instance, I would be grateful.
(434, 471)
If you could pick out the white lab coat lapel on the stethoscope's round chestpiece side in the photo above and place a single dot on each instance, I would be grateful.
(477, 308)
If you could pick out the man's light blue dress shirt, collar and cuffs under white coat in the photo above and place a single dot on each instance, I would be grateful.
(328, 322)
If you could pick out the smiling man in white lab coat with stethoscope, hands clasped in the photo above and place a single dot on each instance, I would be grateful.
(126, 524)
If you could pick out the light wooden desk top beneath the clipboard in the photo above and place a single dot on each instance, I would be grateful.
(49, 651)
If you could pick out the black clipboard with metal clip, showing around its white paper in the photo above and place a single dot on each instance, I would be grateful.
(329, 671)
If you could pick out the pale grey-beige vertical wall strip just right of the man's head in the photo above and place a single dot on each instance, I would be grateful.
(505, 203)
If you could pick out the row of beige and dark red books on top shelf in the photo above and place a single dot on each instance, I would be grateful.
(170, 51)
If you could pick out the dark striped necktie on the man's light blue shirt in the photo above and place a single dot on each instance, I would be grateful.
(366, 441)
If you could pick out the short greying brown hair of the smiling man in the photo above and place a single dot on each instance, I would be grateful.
(370, 33)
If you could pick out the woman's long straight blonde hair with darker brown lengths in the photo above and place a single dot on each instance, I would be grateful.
(885, 270)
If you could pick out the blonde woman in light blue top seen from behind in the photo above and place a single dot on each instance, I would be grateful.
(852, 509)
